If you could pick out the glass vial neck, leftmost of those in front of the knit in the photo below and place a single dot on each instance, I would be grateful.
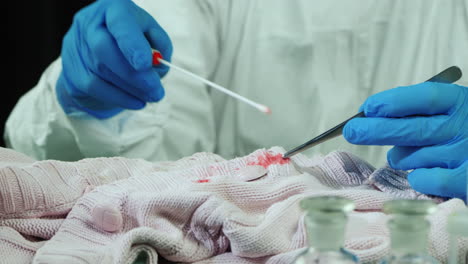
(326, 220)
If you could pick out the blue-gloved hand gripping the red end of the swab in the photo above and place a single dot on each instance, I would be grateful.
(107, 60)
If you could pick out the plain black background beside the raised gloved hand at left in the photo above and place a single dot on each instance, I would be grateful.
(34, 37)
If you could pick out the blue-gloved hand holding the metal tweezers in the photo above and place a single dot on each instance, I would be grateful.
(428, 125)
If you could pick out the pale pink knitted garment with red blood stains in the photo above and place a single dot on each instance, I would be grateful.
(200, 209)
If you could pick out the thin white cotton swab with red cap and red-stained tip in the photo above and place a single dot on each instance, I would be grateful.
(158, 59)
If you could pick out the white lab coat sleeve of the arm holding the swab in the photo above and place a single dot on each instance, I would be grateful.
(179, 125)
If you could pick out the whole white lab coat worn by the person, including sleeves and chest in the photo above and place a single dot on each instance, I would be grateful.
(312, 62)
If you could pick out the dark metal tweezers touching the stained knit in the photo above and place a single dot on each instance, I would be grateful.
(449, 75)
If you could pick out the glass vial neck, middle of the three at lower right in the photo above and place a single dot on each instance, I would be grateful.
(409, 231)
